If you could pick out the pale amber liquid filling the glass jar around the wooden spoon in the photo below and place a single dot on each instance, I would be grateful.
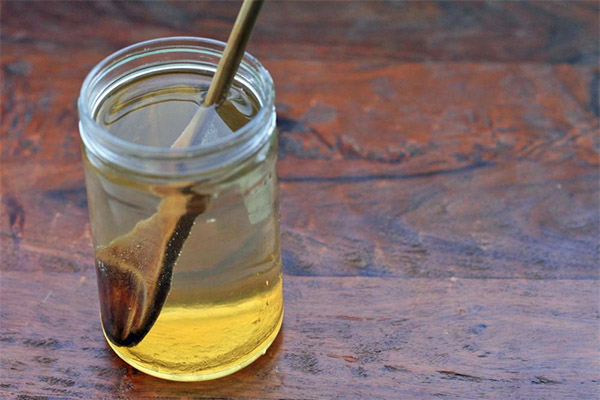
(225, 304)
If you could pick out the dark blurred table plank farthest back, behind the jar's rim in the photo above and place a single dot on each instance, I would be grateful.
(390, 31)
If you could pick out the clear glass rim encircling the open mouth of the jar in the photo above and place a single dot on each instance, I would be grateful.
(87, 103)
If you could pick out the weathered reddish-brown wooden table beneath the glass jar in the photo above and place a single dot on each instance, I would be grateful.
(439, 196)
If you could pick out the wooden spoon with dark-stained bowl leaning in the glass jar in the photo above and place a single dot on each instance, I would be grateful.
(135, 270)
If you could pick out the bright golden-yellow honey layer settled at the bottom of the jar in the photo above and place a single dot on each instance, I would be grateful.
(213, 340)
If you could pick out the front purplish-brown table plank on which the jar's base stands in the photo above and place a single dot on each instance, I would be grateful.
(342, 338)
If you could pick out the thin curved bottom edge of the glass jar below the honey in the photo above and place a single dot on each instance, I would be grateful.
(197, 377)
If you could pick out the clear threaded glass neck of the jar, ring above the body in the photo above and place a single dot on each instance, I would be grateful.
(178, 53)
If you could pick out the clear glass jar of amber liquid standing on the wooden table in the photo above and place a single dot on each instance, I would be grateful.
(186, 240)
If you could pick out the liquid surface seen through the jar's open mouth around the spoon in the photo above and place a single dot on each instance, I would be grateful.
(156, 109)
